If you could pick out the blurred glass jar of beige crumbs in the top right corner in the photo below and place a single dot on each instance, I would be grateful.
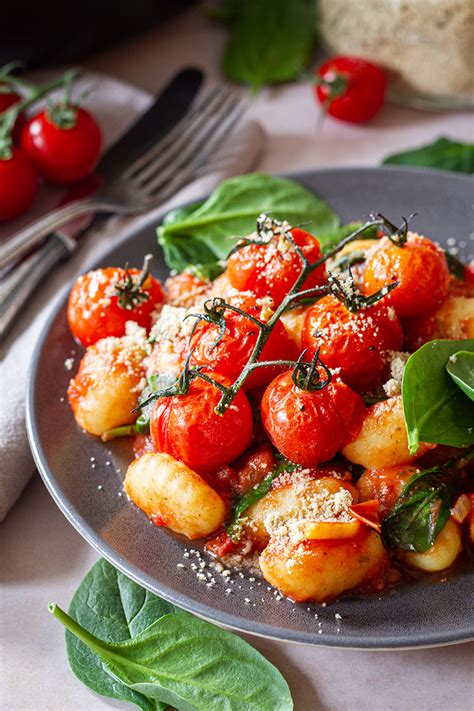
(425, 46)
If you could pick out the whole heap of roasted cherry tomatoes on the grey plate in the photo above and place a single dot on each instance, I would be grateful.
(307, 407)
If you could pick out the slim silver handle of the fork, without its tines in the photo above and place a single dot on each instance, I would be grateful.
(30, 236)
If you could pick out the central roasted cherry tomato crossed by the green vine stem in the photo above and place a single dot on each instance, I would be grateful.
(234, 348)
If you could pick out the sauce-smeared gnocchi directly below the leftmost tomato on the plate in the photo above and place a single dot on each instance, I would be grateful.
(105, 390)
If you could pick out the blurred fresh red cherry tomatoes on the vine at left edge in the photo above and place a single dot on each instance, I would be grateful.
(61, 144)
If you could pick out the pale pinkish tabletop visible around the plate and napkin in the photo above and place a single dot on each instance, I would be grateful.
(42, 556)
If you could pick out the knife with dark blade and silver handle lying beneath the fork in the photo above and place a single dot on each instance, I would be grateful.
(167, 109)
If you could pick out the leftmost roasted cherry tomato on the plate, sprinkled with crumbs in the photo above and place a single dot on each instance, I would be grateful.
(94, 312)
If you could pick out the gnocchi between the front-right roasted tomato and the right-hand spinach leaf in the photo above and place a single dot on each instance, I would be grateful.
(382, 440)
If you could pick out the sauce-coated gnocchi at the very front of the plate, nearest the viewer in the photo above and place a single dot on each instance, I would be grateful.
(322, 570)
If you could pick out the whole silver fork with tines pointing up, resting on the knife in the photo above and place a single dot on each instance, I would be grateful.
(151, 179)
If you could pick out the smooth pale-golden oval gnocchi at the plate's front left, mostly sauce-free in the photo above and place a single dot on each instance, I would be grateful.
(174, 496)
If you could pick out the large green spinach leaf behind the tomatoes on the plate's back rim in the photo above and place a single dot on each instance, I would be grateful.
(207, 234)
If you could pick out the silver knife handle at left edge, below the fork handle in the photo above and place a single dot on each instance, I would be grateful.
(18, 286)
